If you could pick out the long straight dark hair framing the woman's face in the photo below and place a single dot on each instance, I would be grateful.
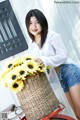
(43, 22)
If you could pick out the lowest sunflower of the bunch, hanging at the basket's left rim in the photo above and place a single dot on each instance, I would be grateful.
(16, 86)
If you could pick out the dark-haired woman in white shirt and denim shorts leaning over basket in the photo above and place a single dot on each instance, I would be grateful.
(50, 51)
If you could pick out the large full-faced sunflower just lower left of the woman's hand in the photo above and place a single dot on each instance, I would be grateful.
(31, 66)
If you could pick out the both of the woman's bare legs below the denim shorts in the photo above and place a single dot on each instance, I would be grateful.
(73, 97)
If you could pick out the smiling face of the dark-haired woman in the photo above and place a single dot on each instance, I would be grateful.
(34, 26)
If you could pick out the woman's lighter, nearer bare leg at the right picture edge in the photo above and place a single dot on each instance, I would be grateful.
(75, 95)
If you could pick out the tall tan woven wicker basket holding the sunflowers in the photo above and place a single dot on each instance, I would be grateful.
(37, 98)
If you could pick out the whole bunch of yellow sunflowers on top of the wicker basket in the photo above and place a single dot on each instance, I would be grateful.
(17, 72)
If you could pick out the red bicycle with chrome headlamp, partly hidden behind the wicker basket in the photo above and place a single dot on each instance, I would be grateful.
(16, 113)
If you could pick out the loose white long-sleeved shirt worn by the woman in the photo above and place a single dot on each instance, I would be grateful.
(53, 51)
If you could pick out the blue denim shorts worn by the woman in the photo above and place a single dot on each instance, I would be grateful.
(69, 75)
